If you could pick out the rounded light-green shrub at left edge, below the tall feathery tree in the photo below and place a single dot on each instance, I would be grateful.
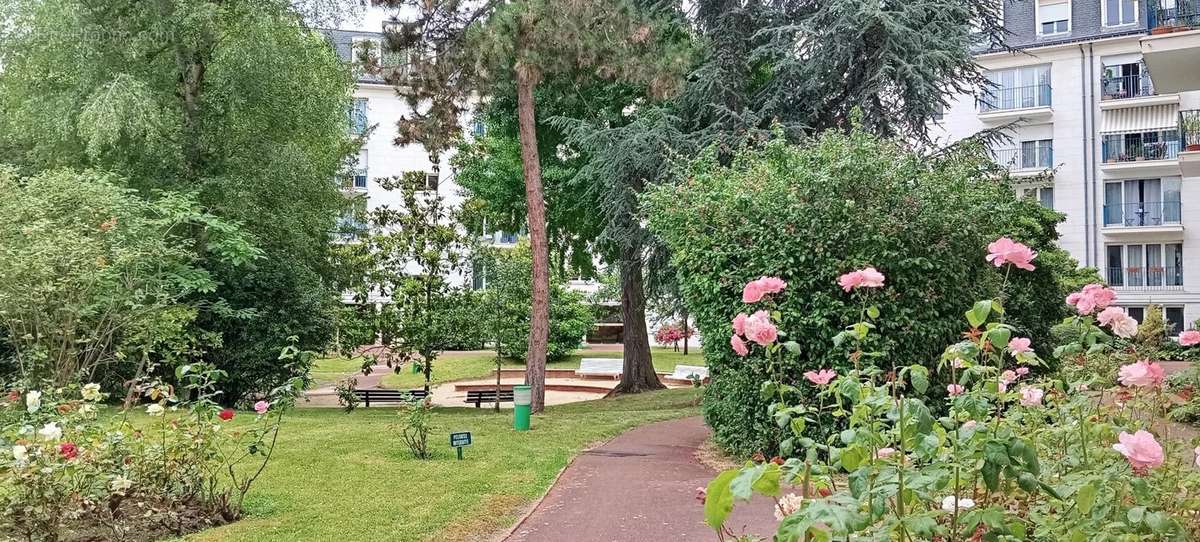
(97, 284)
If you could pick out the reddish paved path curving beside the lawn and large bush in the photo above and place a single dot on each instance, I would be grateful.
(639, 487)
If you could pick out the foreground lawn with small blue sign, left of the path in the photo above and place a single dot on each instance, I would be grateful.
(349, 477)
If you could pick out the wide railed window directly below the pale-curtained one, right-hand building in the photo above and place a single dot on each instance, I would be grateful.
(1153, 266)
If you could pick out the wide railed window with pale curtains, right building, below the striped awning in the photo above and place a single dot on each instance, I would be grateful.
(1143, 203)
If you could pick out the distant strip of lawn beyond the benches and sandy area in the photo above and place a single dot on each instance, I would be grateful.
(464, 366)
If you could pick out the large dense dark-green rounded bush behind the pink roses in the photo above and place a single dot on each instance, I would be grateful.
(808, 214)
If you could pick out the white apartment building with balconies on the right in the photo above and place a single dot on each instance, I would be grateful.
(1105, 95)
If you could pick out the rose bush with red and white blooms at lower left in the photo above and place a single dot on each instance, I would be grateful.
(70, 471)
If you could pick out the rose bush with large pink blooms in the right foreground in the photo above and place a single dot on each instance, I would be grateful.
(1015, 457)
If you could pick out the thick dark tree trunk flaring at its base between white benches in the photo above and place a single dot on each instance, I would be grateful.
(638, 371)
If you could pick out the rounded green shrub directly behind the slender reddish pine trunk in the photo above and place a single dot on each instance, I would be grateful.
(507, 305)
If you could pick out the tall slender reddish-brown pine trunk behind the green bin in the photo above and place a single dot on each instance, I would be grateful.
(539, 322)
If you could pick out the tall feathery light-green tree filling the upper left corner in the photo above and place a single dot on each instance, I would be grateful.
(247, 111)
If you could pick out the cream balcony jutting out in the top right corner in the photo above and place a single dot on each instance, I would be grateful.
(1173, 50)
